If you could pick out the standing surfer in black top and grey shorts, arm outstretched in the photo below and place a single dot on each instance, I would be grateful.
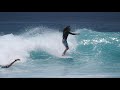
(66, 32)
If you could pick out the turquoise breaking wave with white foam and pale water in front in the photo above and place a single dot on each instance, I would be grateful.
(40, 48)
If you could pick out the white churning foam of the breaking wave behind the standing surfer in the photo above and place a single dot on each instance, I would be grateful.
(19, 46)
